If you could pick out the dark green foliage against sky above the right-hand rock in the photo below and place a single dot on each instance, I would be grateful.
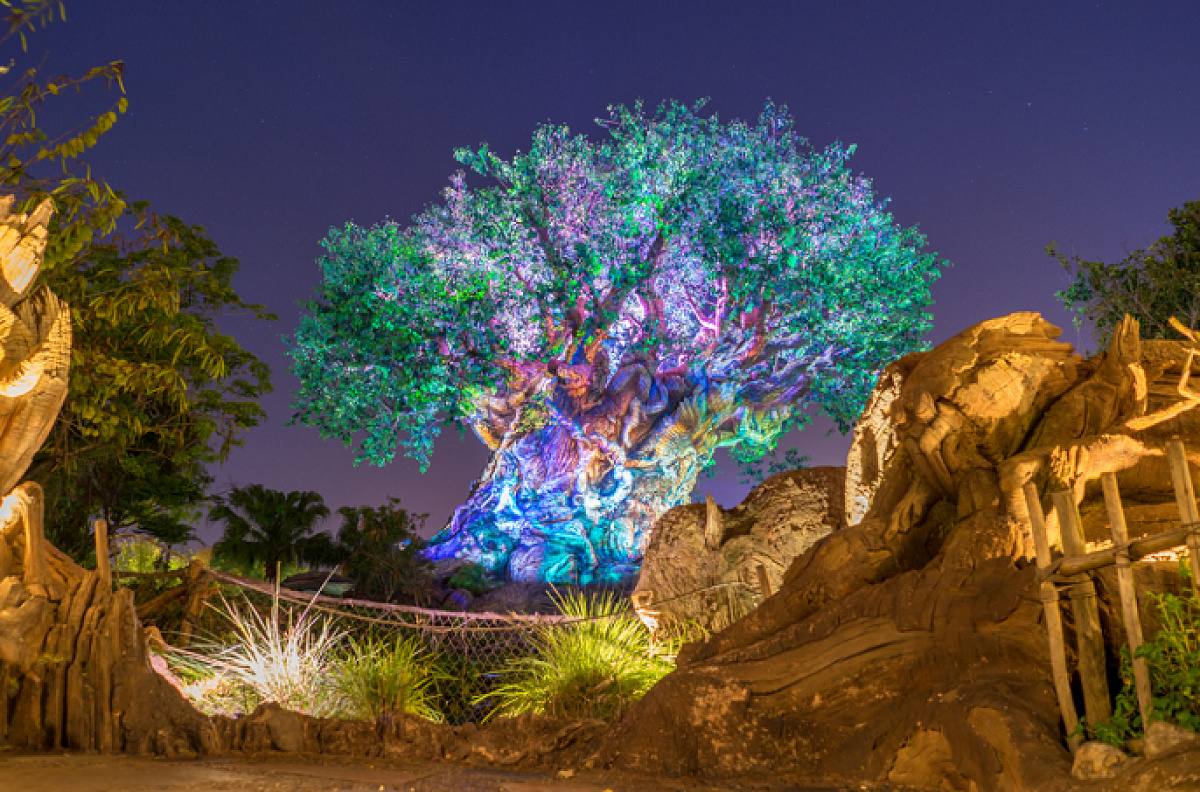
(1150, 285)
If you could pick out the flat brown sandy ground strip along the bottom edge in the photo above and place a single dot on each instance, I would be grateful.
(93, 773)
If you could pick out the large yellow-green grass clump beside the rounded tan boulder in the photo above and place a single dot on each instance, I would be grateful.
(593, 668)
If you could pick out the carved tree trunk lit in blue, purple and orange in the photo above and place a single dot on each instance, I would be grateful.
(579, 473)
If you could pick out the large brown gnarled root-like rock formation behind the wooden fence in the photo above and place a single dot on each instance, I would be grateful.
(908, 647)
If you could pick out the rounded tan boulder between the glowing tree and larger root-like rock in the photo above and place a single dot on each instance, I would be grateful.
(703, 563)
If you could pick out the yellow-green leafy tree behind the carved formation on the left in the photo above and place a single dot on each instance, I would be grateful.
(157, 392)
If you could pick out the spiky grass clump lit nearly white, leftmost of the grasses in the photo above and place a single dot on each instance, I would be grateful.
(280, 657)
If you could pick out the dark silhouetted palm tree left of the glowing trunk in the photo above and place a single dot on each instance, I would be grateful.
(272, 527)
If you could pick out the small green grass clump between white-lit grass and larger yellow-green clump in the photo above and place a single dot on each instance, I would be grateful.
(382, 680)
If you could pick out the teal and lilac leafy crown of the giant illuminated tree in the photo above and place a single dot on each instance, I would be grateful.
(733, 254)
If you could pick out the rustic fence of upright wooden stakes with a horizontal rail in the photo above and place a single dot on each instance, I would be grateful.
(1072, 574)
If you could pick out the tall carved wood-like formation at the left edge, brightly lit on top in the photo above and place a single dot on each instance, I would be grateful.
(74, 668)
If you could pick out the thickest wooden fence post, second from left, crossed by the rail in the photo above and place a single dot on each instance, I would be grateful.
(1093, 674)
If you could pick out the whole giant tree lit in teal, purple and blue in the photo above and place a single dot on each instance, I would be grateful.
(605, 316)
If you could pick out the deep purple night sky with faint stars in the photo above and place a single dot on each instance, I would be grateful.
(998, 128)
